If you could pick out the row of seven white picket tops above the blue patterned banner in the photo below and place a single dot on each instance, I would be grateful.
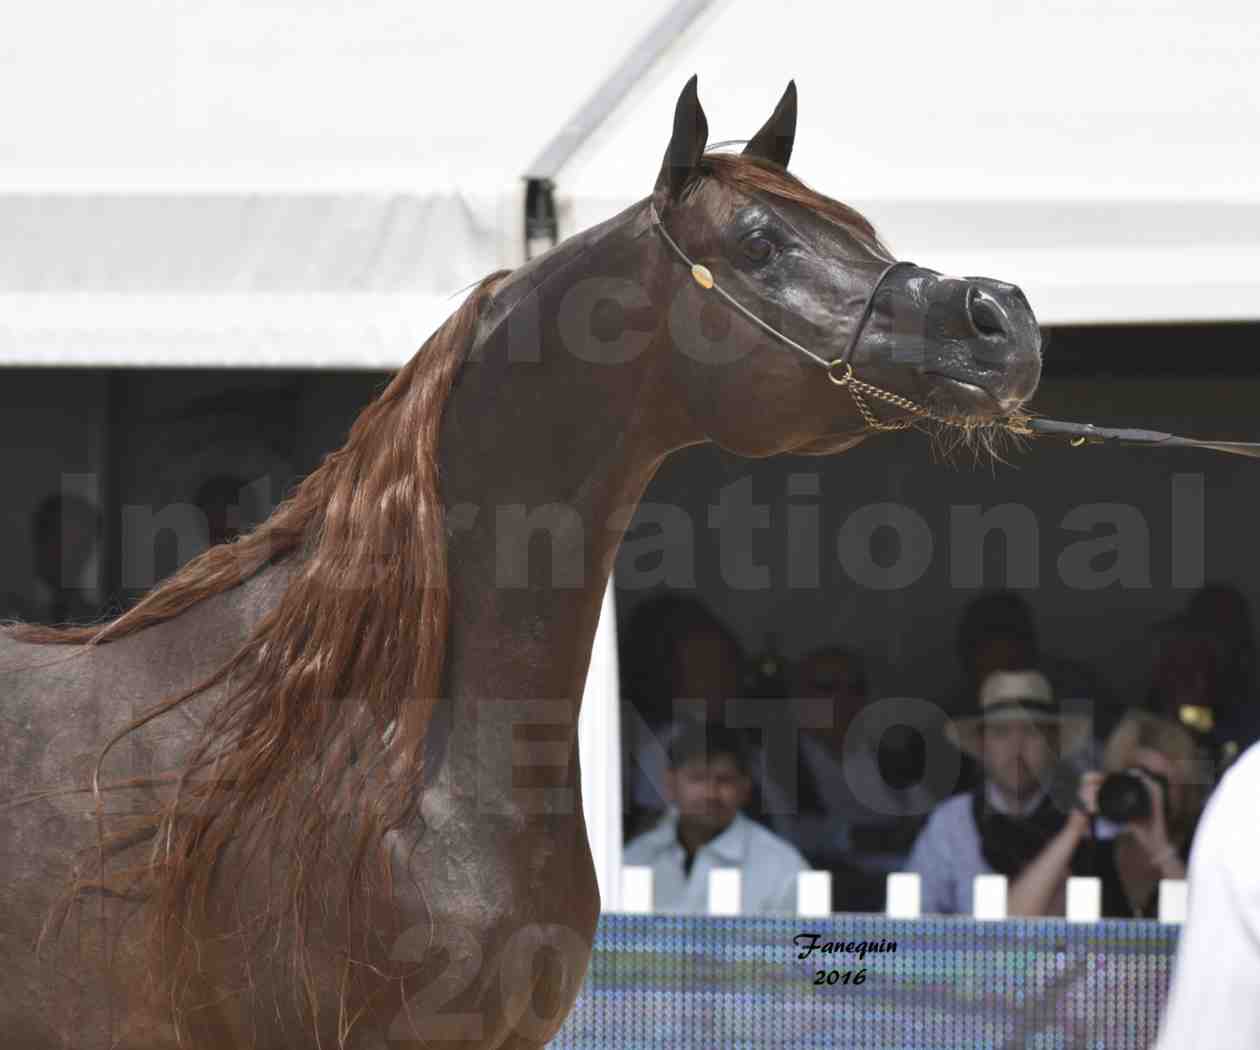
(815, 896)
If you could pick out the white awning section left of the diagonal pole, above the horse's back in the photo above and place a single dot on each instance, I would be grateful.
(282, 185)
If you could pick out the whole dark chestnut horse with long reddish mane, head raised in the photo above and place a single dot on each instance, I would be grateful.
(322, 787)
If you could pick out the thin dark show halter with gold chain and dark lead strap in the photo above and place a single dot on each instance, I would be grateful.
(841, 372)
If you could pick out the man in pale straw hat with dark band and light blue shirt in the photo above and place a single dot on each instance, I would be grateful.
(1017, 733)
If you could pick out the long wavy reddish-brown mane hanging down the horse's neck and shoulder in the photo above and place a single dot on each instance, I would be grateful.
(318, 739)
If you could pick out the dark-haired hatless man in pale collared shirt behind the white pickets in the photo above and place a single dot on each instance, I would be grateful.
(709, 785)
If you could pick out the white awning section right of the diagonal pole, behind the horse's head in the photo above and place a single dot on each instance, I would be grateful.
(1104, 157)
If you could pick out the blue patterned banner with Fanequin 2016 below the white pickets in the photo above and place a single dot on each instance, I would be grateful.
(865, 983)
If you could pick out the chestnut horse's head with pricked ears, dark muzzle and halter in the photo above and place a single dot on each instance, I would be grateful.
(793, 297)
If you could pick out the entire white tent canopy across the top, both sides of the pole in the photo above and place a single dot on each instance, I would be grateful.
(312, 186)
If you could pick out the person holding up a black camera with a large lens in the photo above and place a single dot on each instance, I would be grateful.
(1148, 800)
